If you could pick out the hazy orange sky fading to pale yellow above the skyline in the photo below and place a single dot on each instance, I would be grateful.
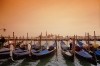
(63, 17)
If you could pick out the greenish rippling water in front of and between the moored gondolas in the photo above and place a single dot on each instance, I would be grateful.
(50, 61)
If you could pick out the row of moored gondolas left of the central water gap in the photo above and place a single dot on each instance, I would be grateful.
(22, 52)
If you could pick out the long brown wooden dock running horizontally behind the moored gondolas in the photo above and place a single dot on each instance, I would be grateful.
(52, 39)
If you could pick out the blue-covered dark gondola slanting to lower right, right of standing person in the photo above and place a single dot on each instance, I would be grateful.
(83, 54)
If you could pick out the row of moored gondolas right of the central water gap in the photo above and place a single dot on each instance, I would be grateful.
(77, 48)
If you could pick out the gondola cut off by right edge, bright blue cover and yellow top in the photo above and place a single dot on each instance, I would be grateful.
(93, 48)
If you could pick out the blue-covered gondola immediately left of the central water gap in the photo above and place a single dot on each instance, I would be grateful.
(42, 53)
